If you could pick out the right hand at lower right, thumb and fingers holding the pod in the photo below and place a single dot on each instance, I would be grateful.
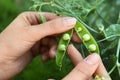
(85, 68)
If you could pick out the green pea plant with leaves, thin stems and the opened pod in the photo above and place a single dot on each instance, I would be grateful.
(98, 26)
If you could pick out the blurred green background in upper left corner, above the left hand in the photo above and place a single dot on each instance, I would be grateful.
(9, 9)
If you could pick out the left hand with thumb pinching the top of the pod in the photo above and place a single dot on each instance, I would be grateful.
(25, 37)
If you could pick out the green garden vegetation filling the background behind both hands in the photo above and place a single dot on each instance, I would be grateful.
(106, 21)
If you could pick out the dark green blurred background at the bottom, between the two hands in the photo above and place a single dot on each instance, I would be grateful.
(39, 70)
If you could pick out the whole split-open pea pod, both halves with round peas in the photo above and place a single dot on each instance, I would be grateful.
(83, 34)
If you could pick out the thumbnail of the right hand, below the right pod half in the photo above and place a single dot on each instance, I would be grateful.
(92, 59)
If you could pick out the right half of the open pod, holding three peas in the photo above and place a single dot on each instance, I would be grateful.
(87, 38)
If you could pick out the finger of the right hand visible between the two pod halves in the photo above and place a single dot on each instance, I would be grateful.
(74, 54)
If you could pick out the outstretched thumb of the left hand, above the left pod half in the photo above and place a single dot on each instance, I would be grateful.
(54, 26)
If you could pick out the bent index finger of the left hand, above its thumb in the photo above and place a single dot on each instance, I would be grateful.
(33, 18)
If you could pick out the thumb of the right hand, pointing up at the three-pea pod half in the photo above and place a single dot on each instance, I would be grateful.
(85, 69)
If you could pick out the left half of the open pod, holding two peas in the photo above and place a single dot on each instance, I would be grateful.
(62, 46)
